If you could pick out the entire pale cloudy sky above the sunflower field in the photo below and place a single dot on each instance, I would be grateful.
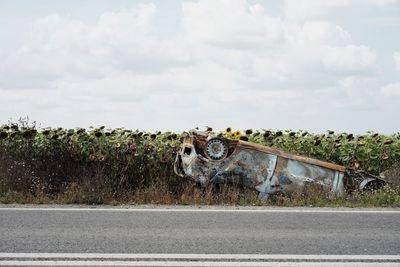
(175, 65)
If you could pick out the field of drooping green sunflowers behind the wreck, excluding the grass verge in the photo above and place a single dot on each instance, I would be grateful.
(101, 163)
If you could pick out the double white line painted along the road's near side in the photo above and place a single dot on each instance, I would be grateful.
(108, 259)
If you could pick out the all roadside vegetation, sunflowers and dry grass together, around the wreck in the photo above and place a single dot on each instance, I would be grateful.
(115, 166)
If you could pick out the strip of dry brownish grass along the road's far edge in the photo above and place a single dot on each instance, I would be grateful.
(187, 194)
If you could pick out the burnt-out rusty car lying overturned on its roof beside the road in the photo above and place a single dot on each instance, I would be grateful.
(208, 159)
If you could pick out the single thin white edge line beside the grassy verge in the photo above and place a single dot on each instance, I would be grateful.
(229, 210)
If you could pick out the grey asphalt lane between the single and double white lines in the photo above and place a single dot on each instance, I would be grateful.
(267, 231)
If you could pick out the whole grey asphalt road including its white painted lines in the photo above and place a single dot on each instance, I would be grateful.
(131, 235)
